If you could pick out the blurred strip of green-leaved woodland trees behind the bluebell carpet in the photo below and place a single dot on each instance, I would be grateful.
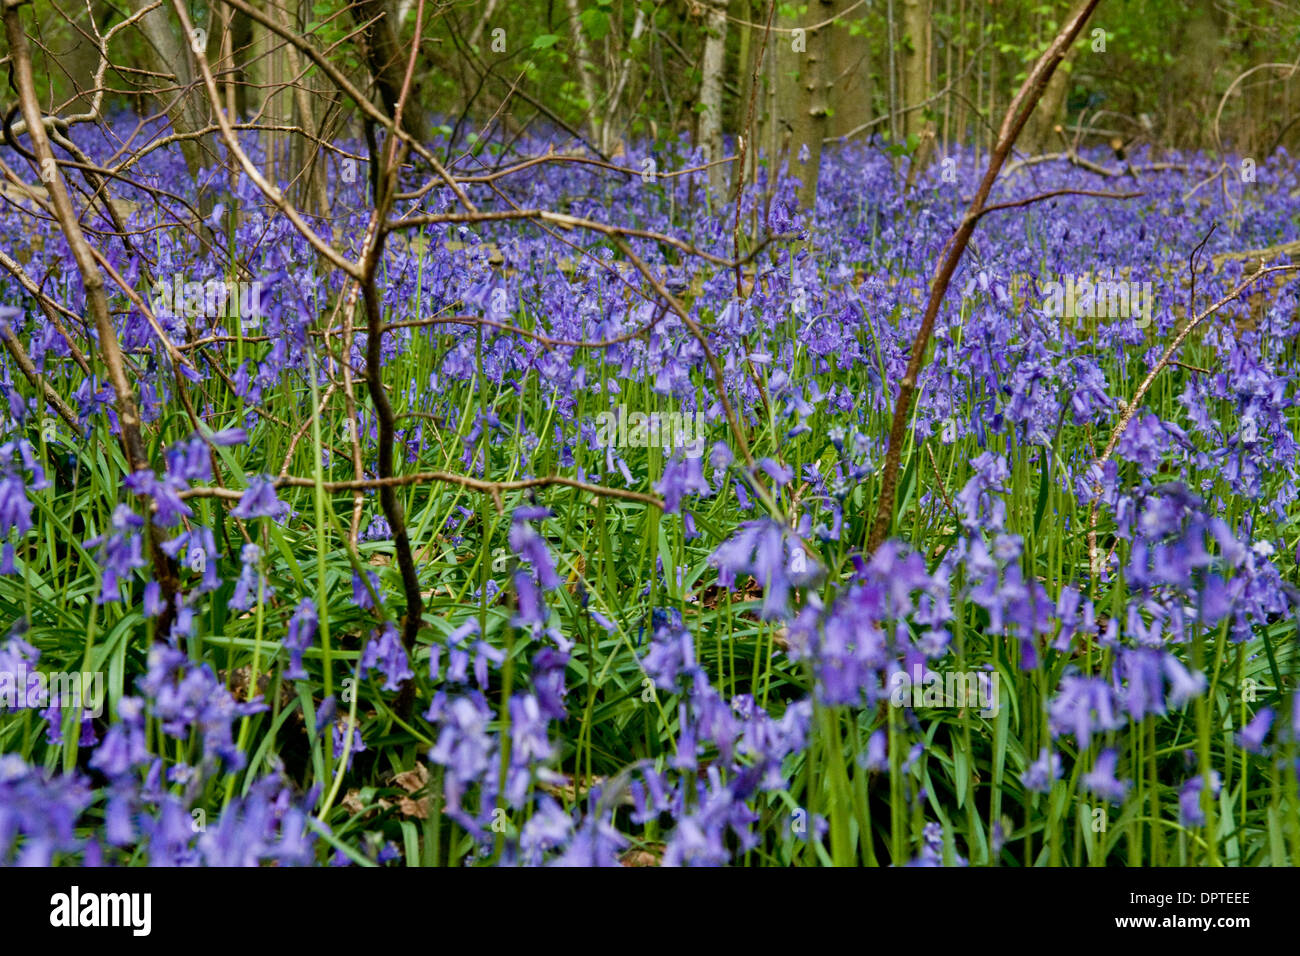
(916, 77)
